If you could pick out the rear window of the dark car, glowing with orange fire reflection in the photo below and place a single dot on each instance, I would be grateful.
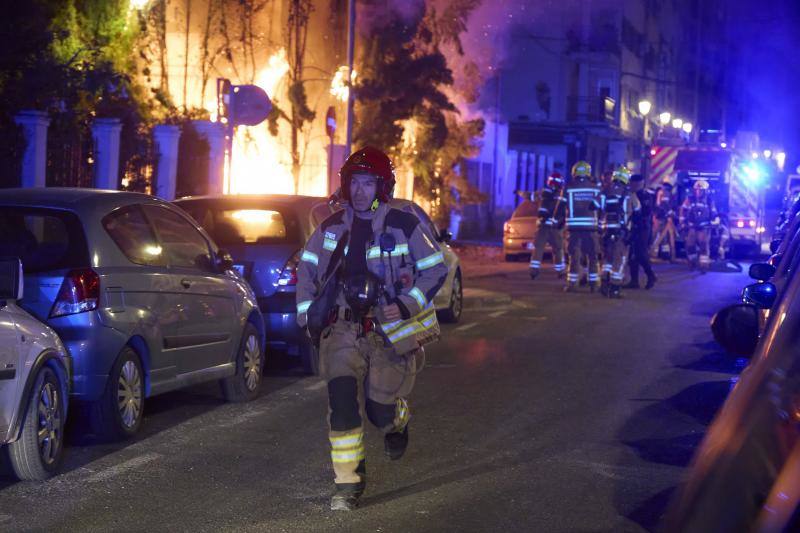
(248, 223)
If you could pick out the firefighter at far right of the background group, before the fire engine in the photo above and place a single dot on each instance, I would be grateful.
(696, 216)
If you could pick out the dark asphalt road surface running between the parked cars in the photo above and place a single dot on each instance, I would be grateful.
(550, 413)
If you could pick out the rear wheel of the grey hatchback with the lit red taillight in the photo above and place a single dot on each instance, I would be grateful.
(118, 413)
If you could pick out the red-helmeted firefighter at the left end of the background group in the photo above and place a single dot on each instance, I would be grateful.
(551, 211)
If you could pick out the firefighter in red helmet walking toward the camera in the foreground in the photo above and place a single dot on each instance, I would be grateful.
(384, 271)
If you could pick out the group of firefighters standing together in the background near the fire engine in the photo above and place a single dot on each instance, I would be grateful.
(613, 222)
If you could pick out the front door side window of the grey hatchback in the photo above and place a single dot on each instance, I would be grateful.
(183, 245)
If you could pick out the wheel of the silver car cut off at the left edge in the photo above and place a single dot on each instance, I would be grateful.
(36, 455)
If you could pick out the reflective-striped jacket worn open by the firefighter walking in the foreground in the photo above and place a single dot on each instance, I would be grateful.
(401, 254)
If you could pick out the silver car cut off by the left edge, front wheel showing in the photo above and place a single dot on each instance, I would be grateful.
(34, 384)
